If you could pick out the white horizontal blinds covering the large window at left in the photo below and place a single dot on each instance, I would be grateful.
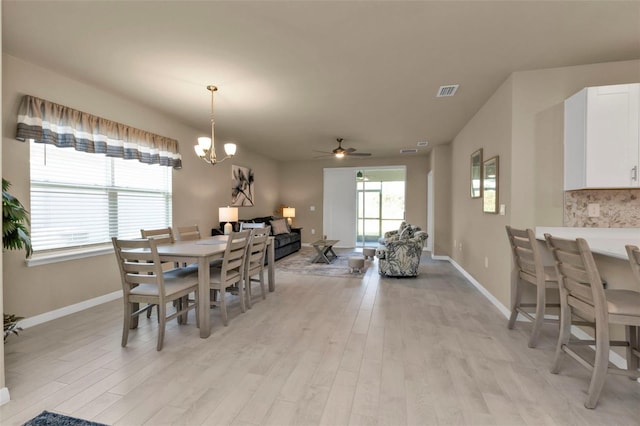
(80, 199)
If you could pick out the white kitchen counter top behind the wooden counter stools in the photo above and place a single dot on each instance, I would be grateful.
(605, 241)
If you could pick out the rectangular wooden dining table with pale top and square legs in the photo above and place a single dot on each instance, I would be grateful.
(202, 252)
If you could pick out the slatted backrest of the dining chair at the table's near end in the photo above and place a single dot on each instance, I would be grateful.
(139, 263)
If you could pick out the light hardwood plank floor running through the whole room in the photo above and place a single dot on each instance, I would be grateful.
(320, 350)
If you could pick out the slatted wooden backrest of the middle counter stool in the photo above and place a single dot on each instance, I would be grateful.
(578, 275)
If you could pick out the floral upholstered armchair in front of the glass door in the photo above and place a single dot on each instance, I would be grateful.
(400, 257)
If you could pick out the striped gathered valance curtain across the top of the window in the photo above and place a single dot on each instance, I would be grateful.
(64, 127)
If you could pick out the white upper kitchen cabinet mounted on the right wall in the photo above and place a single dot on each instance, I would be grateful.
(602, 137)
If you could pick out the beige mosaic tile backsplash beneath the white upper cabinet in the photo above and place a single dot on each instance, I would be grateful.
(619, 208)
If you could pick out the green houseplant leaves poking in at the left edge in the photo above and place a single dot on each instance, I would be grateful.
(15, 236)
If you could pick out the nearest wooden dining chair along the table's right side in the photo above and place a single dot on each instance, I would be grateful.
(229, 276)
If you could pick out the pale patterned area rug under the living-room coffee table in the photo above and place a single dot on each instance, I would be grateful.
(300, 263)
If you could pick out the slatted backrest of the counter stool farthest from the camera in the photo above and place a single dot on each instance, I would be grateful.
(526, 255)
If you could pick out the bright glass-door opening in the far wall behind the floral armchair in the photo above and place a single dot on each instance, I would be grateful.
(380, 195)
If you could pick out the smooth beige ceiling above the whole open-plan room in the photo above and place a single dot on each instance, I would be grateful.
(294, 76)
